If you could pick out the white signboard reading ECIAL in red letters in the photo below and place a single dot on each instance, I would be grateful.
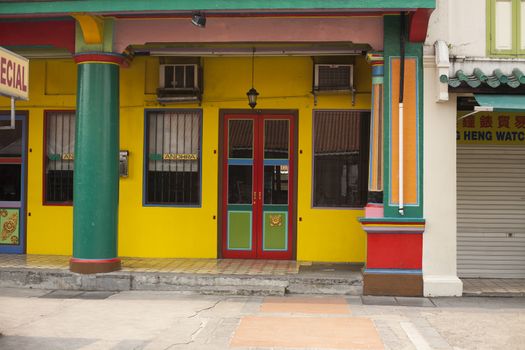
(14, 75)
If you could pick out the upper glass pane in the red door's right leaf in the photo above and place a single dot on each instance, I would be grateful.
(276, 138)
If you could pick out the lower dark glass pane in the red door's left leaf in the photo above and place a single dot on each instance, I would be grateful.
(240, 184)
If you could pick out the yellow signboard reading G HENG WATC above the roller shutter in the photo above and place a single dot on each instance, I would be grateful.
(495, 128)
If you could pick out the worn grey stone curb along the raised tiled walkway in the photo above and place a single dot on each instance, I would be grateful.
(53, 279)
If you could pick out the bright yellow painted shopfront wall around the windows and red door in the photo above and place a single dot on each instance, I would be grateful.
(283, 83)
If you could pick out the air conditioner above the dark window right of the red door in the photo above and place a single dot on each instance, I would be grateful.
(333, 77)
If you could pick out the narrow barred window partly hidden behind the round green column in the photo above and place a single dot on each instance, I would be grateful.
(60, 153)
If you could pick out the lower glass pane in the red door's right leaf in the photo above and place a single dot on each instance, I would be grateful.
(276, 184)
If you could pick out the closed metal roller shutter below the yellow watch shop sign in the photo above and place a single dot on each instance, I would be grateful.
(491, 211)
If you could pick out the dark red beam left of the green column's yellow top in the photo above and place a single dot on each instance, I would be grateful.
(59, 34)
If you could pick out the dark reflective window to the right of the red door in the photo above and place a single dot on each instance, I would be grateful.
(340, 158)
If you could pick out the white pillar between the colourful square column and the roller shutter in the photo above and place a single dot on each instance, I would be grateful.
(439, 186)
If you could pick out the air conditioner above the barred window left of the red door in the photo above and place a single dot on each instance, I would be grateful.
(179, 83)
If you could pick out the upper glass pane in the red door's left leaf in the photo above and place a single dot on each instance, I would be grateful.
(240, 139)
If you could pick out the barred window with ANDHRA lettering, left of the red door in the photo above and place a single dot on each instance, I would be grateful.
(173, 166)
